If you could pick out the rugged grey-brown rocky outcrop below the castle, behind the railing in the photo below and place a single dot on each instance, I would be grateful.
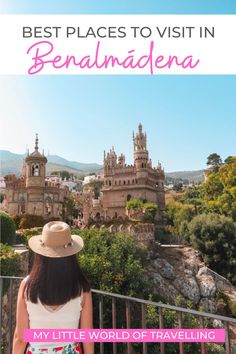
(179, 272)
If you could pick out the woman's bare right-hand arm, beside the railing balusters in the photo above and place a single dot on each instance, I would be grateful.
(86, 319)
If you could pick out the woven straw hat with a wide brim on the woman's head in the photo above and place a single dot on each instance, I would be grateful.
(56, 241)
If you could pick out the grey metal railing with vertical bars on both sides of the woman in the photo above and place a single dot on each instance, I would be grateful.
(203, 317)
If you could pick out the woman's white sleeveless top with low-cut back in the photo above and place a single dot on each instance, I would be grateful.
(64, 316)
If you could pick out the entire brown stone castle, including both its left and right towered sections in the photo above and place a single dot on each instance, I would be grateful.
(36, 194)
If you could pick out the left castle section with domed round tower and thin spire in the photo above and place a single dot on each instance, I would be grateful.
(32, 193)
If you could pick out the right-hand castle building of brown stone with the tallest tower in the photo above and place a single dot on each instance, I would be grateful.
(123, 182)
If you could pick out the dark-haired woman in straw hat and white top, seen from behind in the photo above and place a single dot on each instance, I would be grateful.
(55, 294)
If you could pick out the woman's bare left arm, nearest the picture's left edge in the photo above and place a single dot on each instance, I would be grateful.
(22, 322)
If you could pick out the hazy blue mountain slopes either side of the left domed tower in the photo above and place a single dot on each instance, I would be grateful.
(11, 163)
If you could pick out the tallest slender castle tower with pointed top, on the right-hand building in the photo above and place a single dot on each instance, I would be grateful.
(140, 153)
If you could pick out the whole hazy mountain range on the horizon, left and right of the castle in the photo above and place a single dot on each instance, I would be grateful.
(12, 164)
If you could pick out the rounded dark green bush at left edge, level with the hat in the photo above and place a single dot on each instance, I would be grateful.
(8, 229)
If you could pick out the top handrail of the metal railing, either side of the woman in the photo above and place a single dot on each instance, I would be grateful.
(153, 303)
